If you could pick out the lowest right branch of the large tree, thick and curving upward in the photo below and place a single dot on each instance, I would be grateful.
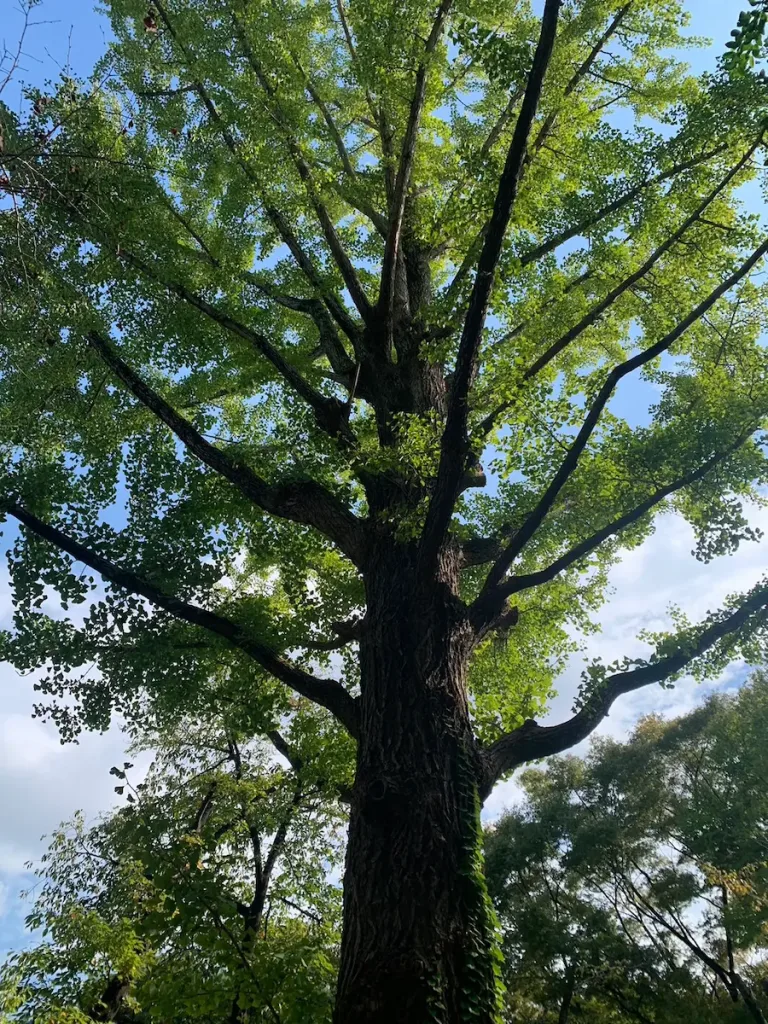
(532, 742)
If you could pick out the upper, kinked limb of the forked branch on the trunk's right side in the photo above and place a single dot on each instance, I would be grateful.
(571, 462)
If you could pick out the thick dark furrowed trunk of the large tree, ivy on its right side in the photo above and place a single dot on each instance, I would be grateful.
(419, 940)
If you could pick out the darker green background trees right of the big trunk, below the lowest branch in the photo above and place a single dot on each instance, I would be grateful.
(636, 877)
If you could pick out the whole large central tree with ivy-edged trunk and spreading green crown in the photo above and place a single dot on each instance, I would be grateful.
(334, 302)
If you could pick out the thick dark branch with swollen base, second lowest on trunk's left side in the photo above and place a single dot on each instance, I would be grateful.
(308, 502)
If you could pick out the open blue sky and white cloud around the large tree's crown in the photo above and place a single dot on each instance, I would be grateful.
(42, 783)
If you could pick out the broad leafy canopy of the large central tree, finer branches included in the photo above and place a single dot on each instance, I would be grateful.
(187, 243)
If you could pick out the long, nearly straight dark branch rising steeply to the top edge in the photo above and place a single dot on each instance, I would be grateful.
(454, 443)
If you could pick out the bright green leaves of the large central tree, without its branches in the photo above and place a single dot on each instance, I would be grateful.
(140, 166)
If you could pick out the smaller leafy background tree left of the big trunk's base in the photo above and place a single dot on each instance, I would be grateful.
(203, 900)
